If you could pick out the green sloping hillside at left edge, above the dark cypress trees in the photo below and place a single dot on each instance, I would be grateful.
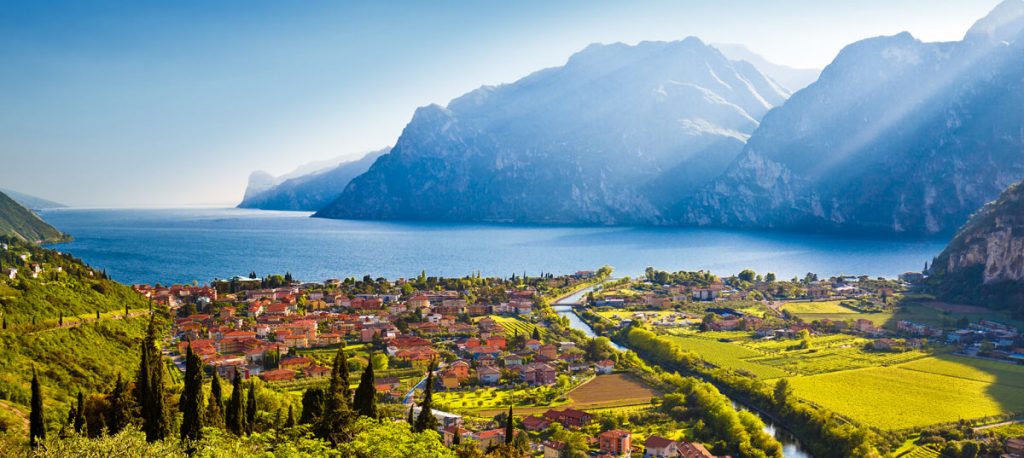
(50, 324)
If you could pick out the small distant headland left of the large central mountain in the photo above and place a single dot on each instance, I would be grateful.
(309, 192)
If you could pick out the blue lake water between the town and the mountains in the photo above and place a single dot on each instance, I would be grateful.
(187, 245)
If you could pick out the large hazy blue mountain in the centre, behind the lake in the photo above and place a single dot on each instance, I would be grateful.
(611, 138)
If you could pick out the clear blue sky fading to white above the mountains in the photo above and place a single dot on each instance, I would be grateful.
(162, 104)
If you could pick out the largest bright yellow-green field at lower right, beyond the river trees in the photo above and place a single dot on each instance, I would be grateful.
(898, 398)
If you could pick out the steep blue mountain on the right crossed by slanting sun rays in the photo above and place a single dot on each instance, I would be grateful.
(897, 137)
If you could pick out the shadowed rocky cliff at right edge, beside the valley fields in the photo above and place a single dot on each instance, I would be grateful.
(985, 263)
